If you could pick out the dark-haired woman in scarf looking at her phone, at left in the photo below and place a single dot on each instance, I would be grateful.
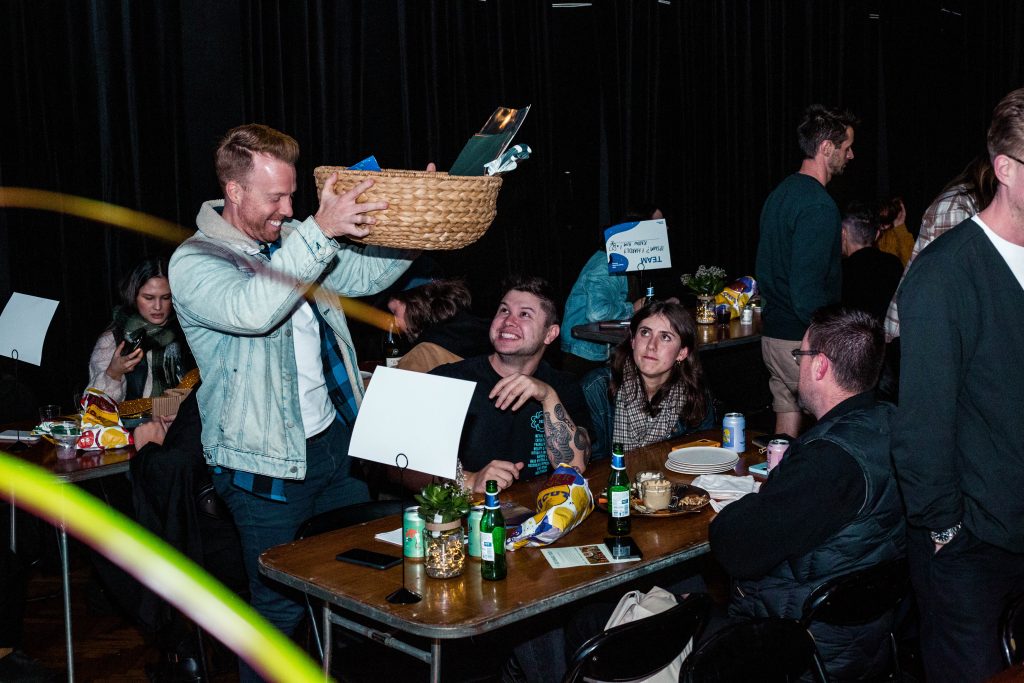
(143, 353)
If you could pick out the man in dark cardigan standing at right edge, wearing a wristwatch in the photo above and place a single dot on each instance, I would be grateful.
(958, 444)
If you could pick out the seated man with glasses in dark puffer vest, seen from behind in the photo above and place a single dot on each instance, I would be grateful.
(832, 505)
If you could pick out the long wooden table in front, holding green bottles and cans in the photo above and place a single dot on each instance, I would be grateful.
(468, 606)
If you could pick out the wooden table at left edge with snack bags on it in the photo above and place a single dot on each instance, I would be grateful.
(89, 465)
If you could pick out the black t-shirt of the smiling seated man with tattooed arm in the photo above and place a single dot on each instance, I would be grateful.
(516, 437)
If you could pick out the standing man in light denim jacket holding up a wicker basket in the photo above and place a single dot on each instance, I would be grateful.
(281, 385)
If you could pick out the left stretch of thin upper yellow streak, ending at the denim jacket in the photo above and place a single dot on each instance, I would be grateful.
(45, 200)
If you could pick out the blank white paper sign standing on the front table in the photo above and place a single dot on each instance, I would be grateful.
(415, 414)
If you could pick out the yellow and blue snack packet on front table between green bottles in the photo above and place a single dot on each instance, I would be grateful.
(562, 506)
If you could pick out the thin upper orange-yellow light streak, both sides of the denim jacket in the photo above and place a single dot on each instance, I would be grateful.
(27, 198)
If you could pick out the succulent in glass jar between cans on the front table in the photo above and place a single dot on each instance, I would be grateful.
(442, 507)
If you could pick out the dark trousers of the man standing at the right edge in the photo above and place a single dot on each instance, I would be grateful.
(962, 591)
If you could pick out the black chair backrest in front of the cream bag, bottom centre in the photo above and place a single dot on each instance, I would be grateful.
(641, 649)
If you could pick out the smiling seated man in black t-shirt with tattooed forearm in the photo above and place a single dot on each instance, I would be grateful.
(521, 420)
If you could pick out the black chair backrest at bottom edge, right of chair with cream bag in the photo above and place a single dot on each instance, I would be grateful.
(762, 650)
